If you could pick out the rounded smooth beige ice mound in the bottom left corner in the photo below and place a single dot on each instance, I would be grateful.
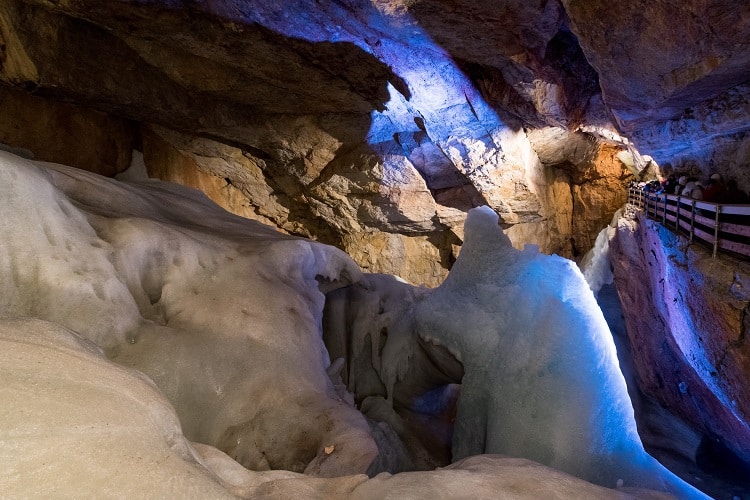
(74, 424)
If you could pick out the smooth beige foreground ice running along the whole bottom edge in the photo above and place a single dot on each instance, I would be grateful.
(75, 425)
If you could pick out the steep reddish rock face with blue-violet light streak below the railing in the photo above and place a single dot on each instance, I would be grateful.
(687, 314)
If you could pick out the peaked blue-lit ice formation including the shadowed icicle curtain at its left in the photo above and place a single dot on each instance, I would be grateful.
(538, 366)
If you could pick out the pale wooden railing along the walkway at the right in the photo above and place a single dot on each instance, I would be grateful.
(724, 227)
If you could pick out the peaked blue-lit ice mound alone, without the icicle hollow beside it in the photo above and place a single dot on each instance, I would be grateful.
(541, 374)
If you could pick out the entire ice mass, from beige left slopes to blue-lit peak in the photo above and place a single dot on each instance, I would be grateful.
(150, 303)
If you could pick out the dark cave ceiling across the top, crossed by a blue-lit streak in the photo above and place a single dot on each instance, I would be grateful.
(220, 67)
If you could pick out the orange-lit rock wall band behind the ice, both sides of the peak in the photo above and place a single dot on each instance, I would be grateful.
(379, 210)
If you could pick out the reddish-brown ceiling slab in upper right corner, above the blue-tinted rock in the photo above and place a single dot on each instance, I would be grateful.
(644, 70)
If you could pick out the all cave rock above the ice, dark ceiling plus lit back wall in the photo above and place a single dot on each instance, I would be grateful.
(375, 126)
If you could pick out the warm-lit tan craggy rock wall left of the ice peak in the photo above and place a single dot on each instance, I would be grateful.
(357, 195)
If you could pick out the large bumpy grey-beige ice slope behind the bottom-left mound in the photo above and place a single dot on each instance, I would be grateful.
(222, 313)
